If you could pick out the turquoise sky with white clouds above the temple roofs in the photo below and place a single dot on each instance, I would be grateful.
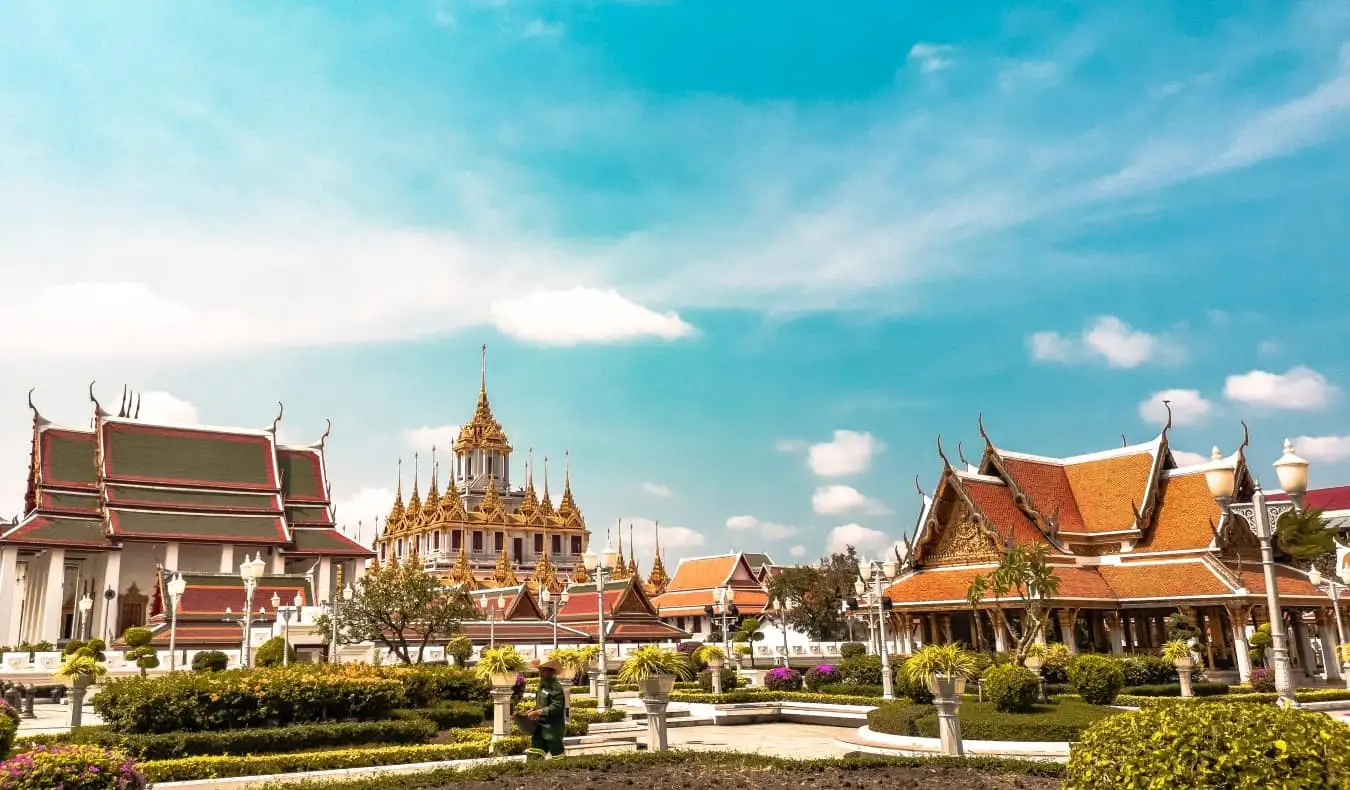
(745, 261)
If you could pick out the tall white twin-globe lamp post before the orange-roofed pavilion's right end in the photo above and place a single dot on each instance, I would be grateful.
(1263, 517)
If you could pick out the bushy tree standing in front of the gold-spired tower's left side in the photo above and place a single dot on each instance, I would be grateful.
(402, 607)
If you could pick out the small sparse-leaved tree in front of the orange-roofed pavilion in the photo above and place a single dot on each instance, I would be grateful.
(1027, 576)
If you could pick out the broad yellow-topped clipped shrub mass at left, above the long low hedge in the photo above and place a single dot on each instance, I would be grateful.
(240, 699)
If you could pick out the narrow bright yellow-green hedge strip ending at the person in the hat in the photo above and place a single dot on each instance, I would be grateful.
(221, 768)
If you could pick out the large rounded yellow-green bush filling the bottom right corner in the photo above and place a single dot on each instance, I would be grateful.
(1212, 745)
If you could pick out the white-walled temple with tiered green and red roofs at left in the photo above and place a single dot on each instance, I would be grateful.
(115, 507)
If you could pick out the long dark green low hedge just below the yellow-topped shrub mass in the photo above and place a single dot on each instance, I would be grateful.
(244, 742)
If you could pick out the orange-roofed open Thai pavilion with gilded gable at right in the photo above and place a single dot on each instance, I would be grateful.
(1133, 539)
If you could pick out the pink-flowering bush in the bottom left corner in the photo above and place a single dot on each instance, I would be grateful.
(75, 768)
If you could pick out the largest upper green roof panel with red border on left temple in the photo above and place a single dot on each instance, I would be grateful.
(179, 456)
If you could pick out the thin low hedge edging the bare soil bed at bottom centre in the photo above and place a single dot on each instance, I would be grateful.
(443, 777)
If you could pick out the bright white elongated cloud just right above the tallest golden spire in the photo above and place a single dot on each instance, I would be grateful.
(584, 315)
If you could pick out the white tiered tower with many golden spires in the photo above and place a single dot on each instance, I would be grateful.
(481, 531)
